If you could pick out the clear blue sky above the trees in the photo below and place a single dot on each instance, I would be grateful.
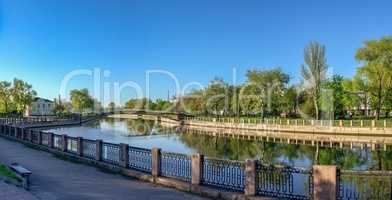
(43, 40)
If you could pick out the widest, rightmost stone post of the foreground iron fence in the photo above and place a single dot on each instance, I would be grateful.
(325, 182)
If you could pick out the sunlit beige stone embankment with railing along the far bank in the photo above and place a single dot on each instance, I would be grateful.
(291, 132)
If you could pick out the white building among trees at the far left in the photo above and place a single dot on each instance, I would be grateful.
(40, 106)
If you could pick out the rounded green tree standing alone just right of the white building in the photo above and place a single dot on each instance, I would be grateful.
(81, 100)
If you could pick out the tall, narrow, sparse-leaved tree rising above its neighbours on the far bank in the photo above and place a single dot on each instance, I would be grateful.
(314, 72)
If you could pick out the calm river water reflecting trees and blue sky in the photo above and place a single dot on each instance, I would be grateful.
(148, 134)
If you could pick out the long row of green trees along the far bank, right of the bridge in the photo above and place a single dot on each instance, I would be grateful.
(269, 92)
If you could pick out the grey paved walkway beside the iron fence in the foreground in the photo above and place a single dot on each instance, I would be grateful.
(56, 179)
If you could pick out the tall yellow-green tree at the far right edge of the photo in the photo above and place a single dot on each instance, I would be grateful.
(376, 58)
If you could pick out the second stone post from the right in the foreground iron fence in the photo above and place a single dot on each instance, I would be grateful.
(250, 180)
